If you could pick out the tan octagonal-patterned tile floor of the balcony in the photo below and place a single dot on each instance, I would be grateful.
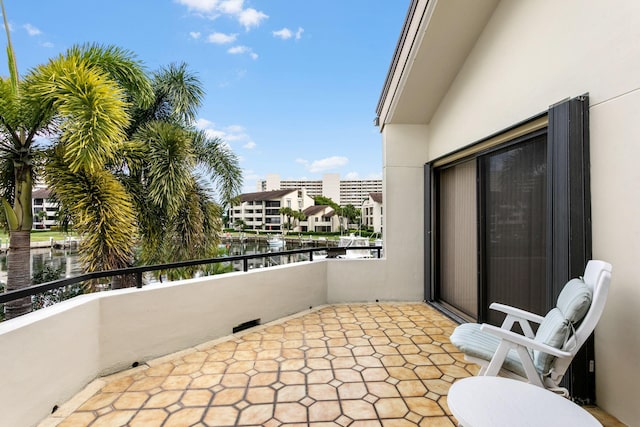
(359, 365)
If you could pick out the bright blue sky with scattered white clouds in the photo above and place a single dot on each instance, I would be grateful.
(291, 85)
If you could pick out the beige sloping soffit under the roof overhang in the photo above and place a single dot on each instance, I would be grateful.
(437, 38)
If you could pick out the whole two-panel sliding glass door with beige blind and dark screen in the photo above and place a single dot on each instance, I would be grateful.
(491, 228)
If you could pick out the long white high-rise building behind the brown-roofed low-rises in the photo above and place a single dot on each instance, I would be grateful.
(347, 192)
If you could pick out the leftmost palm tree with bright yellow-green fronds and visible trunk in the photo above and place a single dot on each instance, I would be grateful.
(76, 98)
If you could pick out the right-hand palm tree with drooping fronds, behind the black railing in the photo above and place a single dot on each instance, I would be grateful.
(165, 174)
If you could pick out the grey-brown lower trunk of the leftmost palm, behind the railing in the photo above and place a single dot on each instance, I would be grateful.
(18, 272)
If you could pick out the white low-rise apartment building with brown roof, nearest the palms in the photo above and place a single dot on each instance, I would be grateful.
(261, 210)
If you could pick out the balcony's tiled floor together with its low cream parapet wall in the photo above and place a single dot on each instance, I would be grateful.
(317, 358)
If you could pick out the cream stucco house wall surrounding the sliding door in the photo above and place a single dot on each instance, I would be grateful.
(532, 54)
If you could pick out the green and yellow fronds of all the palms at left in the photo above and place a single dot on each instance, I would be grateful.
(127, 166)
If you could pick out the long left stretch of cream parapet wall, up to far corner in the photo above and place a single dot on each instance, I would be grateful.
(49, 355)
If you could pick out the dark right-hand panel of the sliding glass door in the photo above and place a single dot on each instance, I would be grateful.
(513, 213)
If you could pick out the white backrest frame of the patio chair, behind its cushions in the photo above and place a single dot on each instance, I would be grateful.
(597, 276)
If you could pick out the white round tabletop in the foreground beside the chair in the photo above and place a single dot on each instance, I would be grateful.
(496, 401)
